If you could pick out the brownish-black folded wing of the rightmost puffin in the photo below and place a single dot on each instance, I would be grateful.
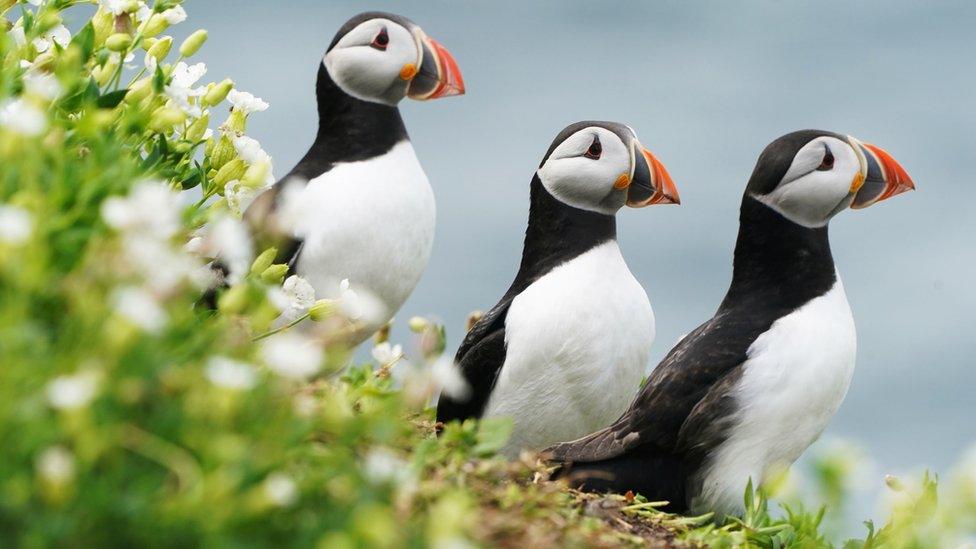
(687, 375)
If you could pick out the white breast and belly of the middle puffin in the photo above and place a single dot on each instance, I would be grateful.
(577, 342)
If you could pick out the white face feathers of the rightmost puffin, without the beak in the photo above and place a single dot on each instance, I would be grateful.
(808, 196)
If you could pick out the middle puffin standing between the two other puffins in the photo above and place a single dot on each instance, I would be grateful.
(565, 348)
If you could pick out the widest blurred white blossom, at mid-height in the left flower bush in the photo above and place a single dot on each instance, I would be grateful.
(151, 208)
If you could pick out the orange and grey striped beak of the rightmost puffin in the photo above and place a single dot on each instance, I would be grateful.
(880, 178)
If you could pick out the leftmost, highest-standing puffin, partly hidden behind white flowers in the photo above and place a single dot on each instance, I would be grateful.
(357, 212)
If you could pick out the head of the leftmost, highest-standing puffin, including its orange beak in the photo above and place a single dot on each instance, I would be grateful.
(382, 58)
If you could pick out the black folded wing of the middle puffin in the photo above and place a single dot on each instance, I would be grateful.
(480, 357)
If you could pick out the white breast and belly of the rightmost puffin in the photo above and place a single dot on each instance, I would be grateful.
(795, 378)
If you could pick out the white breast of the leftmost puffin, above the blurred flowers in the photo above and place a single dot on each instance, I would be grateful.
(371, 222)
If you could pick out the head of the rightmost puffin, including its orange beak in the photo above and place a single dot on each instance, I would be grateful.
(809, 176)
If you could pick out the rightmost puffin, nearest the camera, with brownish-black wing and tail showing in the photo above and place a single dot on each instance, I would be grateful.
(745, 393)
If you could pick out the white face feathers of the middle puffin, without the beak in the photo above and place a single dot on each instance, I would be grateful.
(587, 183)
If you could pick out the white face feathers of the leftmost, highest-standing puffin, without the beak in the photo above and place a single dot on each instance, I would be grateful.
(368, 73)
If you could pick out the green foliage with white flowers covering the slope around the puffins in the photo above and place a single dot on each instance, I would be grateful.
(131, 416)
